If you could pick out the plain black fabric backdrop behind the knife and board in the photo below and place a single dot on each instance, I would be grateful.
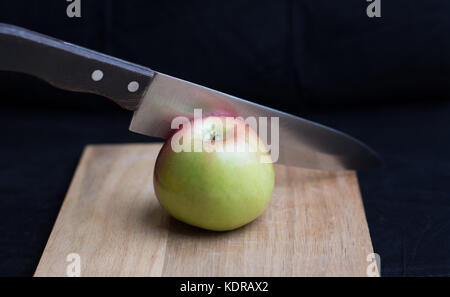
(384, 81)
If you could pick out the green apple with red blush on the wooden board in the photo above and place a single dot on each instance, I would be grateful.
(214, 190)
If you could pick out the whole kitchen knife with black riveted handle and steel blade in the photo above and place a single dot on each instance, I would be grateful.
(156, 98)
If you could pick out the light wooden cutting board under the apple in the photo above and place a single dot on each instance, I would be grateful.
(314, 226)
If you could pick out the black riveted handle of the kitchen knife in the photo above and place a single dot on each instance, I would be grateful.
(72, 67)
